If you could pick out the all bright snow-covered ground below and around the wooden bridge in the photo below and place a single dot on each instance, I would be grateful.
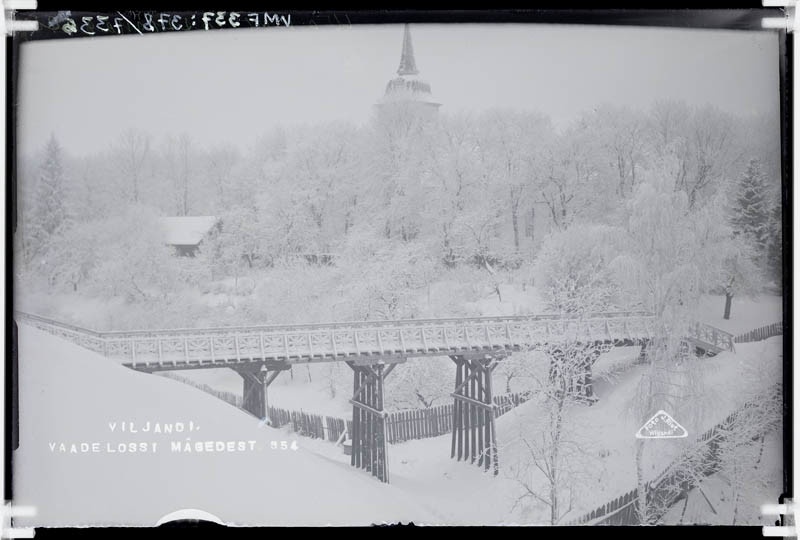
(70, 395)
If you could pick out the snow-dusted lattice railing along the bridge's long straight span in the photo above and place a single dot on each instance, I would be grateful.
(385, 340)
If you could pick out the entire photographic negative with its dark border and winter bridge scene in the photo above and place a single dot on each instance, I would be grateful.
(93, 283)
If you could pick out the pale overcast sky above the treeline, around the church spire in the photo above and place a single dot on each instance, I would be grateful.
(231, 86)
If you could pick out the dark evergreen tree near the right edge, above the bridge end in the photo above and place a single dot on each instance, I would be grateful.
(751, 211)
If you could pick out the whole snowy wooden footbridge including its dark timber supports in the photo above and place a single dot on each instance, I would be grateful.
(373, 350)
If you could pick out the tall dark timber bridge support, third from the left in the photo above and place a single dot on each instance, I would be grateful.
(474, 437)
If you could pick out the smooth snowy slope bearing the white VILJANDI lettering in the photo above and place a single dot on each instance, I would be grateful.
(70, 395)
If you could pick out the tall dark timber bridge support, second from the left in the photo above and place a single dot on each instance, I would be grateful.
(369, 419)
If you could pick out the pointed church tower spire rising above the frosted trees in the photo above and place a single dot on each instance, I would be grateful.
(407, 93)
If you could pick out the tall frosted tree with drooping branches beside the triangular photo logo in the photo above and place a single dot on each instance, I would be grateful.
(672, 256)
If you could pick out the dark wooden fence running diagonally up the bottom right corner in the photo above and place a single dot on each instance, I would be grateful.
(675, 481)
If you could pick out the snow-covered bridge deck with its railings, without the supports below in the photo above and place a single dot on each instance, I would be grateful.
(202, 348)
